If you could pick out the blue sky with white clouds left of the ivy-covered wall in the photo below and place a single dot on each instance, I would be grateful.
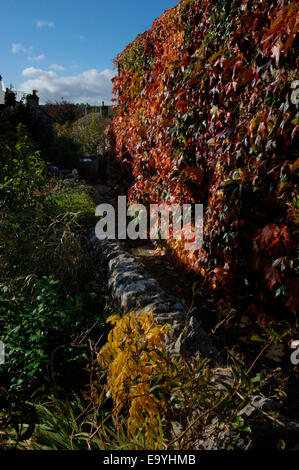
(65, 48)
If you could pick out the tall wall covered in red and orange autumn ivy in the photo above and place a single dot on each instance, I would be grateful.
(208, 113)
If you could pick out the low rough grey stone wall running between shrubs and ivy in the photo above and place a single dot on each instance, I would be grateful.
(131, 288)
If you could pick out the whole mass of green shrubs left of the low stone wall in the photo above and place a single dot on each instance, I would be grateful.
(46, 294)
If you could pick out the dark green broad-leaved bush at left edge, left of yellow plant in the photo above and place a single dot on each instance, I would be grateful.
(38, 324)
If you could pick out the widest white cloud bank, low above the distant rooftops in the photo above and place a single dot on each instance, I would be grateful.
(90, 86)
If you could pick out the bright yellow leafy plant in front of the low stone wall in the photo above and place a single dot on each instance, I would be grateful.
(135, 361)
